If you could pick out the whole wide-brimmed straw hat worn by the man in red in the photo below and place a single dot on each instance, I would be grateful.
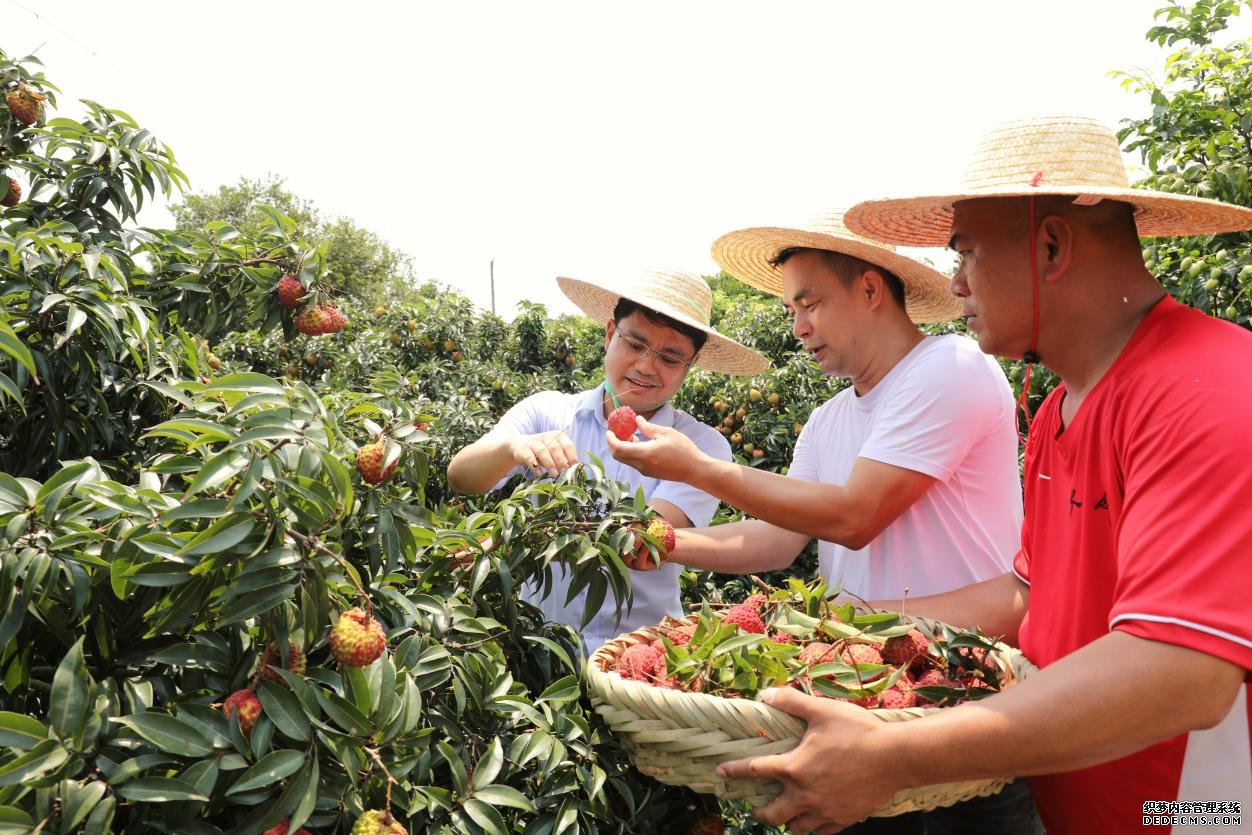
(1067, 156)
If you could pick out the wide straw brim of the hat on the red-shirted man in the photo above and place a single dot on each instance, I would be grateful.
(927, 221)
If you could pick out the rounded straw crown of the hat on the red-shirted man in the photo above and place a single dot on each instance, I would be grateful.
(1049, 152)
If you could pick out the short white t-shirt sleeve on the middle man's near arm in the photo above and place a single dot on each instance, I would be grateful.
(938, 411)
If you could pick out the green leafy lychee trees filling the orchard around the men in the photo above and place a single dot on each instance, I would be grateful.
(177, 490)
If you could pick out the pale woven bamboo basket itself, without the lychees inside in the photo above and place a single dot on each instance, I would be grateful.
(682, 738)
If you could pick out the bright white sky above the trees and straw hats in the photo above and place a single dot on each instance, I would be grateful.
(588, 140)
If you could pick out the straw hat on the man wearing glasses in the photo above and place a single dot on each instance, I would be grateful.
(680, 296)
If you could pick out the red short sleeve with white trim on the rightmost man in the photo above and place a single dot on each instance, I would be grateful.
(1184, 570)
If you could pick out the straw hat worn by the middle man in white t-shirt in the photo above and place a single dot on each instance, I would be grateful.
(747, 255)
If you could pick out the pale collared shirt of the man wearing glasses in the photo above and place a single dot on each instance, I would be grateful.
(583, 417)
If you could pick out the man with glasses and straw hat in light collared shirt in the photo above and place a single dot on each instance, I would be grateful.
(654, 332)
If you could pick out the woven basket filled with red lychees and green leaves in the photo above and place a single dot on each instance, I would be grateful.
(682, 697)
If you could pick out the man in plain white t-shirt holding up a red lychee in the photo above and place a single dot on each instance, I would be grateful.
(908, 478)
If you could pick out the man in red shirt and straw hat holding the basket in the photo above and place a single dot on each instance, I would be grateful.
(1134, 583)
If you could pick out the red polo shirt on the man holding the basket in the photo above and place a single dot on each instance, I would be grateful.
(1139, 518)
